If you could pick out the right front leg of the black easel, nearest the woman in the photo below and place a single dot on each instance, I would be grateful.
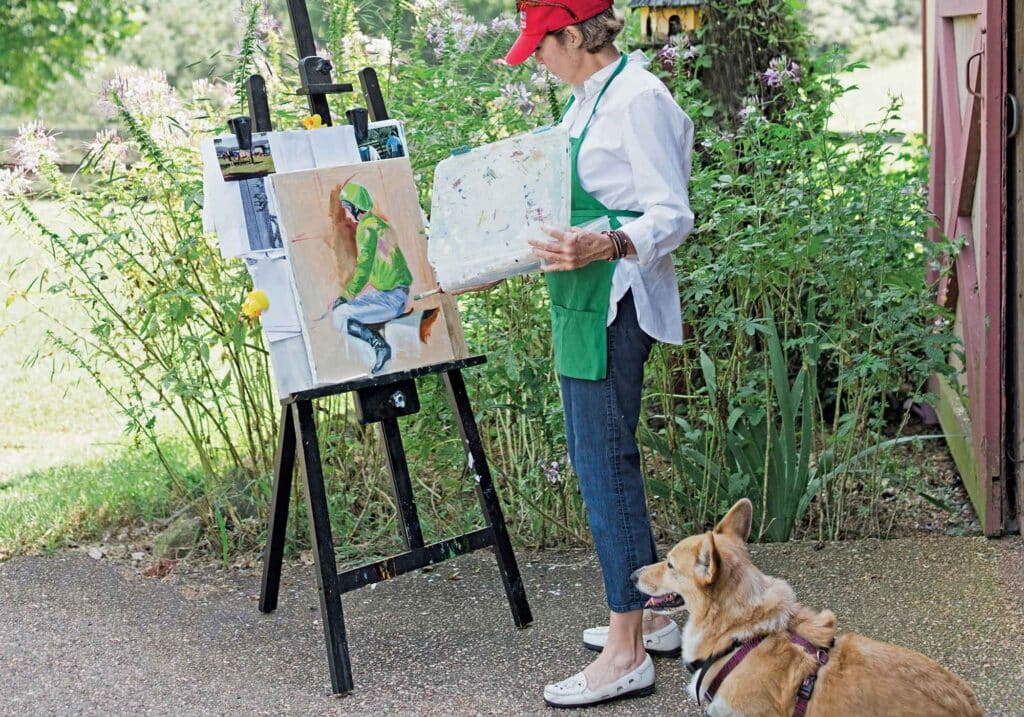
(515, 588)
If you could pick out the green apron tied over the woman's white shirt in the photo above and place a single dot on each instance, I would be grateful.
(580, 299)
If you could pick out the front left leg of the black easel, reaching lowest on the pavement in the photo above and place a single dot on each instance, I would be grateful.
(320, 528)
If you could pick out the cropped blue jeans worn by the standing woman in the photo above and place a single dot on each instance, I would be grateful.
(602, 423)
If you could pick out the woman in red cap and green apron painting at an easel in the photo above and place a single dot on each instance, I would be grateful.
(614, 294)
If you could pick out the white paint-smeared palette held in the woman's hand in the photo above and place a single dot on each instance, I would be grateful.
(490, 202)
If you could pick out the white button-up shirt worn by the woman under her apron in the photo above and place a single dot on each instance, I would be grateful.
(636, 157)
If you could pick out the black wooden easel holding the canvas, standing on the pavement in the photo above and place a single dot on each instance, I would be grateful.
(378, 400)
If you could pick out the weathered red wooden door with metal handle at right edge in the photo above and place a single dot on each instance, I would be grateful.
(968, 197)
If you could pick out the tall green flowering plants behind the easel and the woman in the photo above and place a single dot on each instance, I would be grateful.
(809, 322)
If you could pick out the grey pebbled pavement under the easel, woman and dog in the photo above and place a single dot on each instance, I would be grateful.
(97, 638)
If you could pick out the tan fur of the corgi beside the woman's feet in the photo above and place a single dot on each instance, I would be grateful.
(729, 599)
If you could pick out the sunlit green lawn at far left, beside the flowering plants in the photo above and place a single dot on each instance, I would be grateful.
(66, 472)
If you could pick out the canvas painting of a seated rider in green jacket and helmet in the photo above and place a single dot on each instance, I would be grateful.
(357, 245)
